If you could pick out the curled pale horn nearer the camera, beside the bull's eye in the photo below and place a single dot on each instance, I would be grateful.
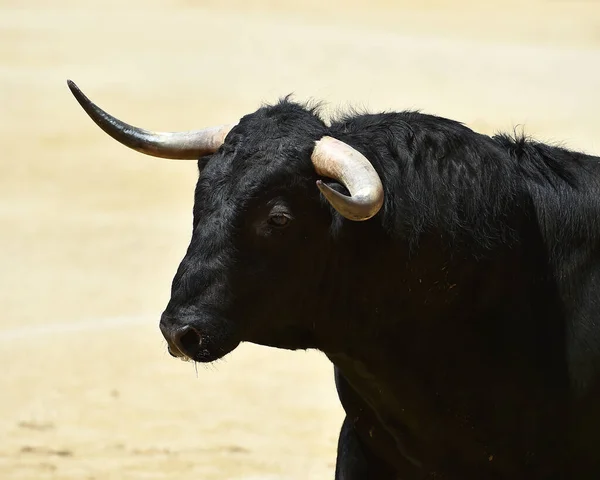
(337, 160)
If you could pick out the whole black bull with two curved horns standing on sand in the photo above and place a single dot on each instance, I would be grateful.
(452, 278)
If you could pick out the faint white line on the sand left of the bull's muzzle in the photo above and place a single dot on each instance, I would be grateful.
(76, 326)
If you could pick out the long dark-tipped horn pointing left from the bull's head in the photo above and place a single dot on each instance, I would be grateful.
(189, 145)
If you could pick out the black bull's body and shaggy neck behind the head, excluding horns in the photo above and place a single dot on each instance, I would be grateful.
(476, 356)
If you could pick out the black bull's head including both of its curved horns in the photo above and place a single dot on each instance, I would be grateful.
(261, 254)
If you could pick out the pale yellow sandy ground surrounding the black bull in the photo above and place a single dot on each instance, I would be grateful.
(91, 232)
